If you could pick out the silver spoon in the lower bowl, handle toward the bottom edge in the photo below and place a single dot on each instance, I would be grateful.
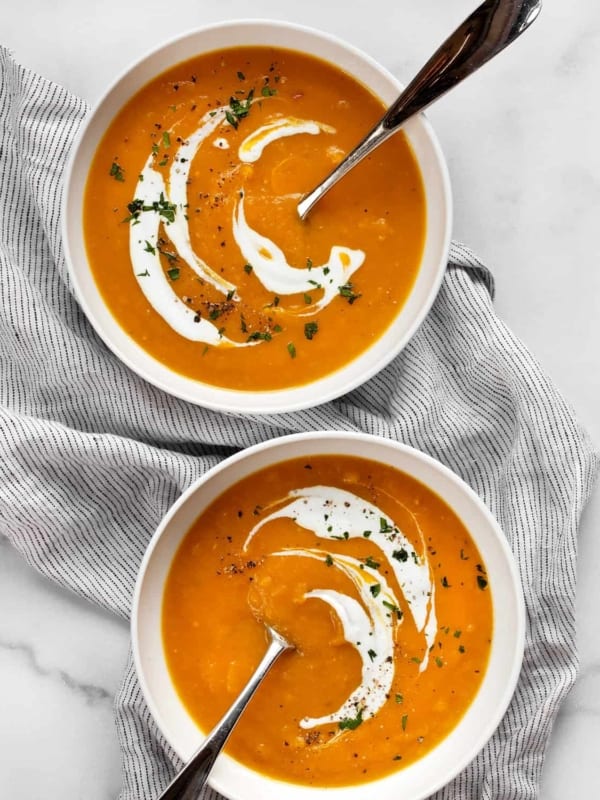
(192, 778)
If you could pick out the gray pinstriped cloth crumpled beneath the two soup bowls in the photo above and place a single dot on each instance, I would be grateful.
(91, 457)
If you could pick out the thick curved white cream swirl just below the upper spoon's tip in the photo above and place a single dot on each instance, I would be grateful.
(272, 269)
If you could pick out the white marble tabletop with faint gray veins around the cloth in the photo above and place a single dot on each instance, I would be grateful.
(521, 139)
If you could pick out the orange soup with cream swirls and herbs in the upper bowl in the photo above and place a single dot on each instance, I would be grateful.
(193, 236)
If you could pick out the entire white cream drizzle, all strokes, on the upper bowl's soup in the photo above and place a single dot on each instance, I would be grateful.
(268, 261)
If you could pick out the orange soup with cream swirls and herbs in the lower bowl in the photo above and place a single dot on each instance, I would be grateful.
(377, 583)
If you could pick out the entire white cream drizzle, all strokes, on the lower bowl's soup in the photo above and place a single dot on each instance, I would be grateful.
(335, 514)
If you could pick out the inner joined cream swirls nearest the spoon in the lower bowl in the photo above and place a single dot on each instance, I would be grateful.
(372, 635)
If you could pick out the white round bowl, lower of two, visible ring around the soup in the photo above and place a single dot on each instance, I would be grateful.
(440, 765)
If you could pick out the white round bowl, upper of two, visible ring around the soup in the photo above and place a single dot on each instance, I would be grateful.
(433, 263)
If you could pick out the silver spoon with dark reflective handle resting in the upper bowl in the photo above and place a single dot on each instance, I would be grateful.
(484, 34)
